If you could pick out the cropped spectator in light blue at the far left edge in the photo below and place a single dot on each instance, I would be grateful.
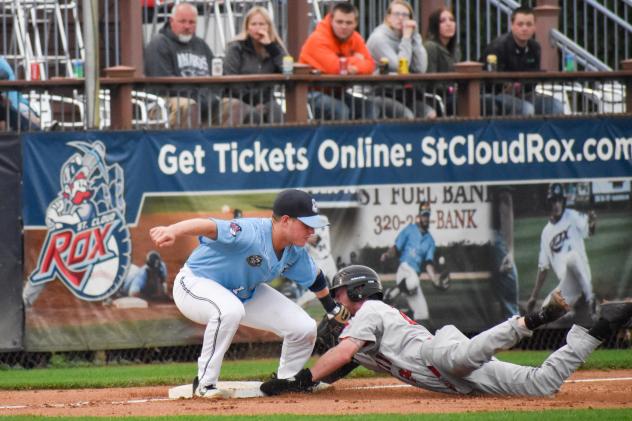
(14, 108)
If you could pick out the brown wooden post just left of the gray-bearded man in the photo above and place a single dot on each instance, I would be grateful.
(131, 35)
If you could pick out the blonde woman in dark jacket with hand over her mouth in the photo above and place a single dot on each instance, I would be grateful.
(258, 49)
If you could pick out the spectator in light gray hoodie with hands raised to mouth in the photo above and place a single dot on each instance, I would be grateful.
(398, 38)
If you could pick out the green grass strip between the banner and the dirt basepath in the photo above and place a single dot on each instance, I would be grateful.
(121, 375)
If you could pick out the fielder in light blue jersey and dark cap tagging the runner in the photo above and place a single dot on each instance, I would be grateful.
(223, 283)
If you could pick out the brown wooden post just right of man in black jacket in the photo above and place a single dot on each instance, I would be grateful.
(547, 15)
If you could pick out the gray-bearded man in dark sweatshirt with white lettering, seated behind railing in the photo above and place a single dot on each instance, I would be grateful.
(177, 51)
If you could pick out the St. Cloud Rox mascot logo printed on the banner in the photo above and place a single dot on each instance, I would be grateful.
(87, 246)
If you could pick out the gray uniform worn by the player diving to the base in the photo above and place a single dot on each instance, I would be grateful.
(449, 362)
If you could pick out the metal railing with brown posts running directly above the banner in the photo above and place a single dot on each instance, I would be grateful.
(277, 100)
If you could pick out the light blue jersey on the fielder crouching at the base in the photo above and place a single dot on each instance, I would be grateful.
(242, 257)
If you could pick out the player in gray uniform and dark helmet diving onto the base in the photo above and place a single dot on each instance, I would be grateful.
(383, 339)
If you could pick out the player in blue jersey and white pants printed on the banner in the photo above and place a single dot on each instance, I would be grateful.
(416, 248)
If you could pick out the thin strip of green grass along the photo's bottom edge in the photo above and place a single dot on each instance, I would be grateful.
(549, 415)
